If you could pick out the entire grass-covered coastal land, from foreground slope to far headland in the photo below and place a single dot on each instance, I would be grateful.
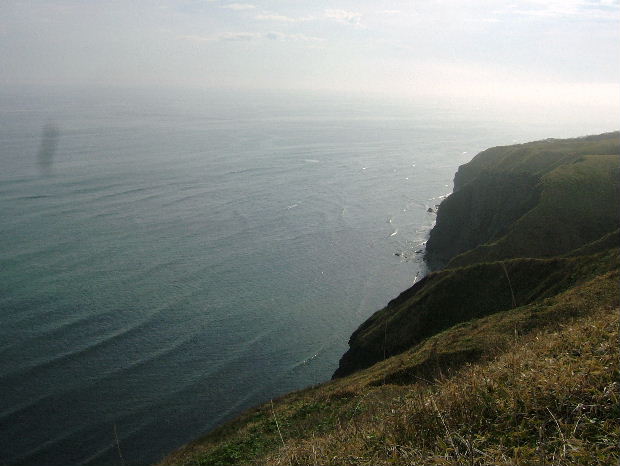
(508, 356)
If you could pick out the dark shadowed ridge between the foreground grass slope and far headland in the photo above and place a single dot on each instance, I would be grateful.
(452, 296)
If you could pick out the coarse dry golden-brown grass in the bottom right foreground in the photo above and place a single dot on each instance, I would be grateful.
(552, 399)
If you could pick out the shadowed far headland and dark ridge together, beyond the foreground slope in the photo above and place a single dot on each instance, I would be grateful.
(523, 205)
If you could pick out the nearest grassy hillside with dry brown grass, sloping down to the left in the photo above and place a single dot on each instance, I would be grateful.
(544, 389)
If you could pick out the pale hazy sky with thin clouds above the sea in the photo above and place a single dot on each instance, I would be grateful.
(484, 48)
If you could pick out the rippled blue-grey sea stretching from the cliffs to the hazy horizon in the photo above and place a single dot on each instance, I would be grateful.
(167, 261)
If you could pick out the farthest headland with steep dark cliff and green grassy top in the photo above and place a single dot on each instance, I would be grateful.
(529, 200)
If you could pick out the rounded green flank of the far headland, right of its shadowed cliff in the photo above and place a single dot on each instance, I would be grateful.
(578, 204)
